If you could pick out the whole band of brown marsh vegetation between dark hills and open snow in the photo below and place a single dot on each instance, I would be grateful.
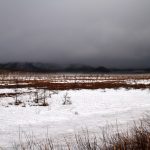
(73, 81)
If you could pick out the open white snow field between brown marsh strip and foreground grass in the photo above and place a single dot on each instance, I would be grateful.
(89, 109)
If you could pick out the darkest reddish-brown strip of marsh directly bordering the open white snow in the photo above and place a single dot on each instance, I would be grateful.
(67, 86)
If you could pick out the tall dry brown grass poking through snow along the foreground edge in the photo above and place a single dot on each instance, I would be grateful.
(137, 138)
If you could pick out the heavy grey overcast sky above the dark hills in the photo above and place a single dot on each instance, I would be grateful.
(111, 33)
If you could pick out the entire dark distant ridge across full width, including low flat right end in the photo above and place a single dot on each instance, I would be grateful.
(73, 68)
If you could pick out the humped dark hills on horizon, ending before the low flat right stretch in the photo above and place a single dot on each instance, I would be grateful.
(45, 67)
